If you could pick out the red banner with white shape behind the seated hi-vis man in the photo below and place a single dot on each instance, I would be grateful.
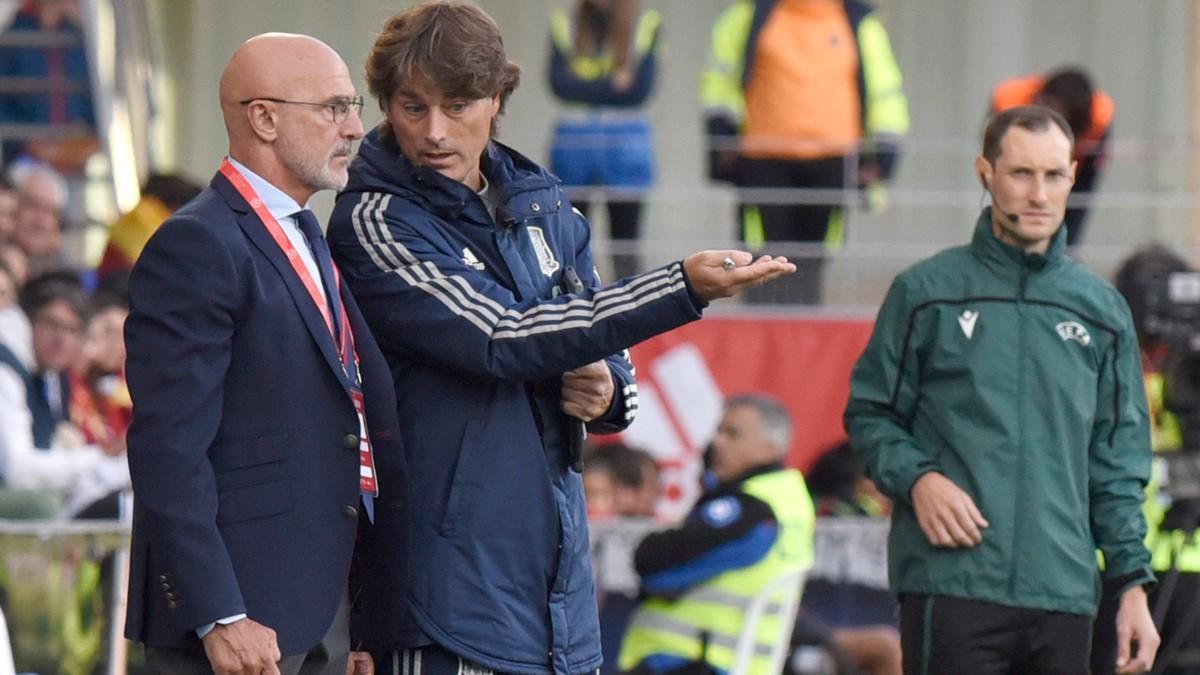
(686, 375)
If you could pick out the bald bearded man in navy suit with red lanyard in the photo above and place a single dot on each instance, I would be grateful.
(265, 428)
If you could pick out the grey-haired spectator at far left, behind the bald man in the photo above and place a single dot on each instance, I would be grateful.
(41, 198)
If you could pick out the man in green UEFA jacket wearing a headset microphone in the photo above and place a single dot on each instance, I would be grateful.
(1000, 405)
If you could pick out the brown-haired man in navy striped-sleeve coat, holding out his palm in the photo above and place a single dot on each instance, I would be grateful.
(477, 277)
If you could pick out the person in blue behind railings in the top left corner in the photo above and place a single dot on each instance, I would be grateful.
(65, 94)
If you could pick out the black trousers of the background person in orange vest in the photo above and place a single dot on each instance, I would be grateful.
(791, 223)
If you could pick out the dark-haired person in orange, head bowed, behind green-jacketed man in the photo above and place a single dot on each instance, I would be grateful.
(1089, 111)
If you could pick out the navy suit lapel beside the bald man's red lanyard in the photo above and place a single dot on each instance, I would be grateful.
(262, 240)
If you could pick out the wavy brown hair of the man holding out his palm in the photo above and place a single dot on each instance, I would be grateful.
(452, 45)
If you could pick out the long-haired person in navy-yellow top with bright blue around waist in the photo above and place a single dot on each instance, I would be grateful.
(603, 69)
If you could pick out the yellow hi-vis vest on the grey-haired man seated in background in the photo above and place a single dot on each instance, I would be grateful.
(706, 622)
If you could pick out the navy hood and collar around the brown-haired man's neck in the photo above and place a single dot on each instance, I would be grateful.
(382, 168)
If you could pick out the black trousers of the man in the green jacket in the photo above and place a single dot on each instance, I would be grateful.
(940, 635)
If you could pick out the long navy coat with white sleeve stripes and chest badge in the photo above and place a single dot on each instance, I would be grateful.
(479, 319)
